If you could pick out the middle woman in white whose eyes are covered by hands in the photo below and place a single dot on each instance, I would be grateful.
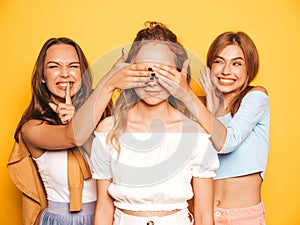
(150, 158)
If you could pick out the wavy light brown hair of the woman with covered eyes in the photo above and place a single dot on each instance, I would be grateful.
(153, 32)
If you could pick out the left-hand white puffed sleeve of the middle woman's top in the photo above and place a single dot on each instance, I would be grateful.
(100, 158)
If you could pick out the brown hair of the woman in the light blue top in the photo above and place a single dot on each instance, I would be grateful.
(251, 59)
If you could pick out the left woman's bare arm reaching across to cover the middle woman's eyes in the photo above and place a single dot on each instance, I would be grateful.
(39, 135)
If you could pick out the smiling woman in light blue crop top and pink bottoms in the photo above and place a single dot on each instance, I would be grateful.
(242, 135)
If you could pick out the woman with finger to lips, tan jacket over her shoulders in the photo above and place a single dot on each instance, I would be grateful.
(50, 130)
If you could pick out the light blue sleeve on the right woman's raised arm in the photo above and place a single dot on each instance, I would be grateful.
(254, 106)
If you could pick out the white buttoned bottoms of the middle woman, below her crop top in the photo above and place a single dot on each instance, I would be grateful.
(179, 218)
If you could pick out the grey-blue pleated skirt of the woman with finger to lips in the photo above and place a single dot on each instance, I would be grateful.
(58, 213)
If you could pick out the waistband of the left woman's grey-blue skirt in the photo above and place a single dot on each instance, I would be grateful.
(63, 208)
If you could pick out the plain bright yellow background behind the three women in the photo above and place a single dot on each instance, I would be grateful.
(99, 26)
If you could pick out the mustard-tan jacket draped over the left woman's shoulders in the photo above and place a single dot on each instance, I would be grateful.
(24, 174)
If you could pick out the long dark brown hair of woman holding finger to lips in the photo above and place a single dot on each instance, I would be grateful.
(41, 96)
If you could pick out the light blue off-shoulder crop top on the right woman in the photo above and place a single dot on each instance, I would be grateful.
(247, 142)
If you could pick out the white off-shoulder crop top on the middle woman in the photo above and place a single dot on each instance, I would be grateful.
(153, 172)
